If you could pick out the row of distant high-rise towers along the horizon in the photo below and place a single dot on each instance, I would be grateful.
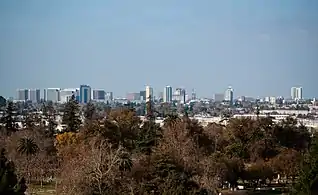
(167, 94)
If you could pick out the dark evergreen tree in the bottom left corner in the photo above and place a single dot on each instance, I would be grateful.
(9, 183)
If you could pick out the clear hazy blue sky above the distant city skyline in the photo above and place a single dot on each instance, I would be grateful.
(260, 48)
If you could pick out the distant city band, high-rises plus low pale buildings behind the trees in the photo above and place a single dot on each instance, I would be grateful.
(178, 101)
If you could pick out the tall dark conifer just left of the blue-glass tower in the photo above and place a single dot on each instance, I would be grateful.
(71, 116)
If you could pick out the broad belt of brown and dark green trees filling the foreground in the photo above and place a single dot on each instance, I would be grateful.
(115, 152)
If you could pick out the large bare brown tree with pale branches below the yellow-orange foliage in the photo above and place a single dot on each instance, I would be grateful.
(93, 170)
